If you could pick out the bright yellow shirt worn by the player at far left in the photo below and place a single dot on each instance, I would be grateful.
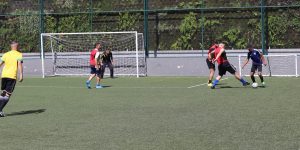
(10, 60)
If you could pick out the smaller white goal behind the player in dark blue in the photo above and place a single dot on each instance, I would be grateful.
(277, 65)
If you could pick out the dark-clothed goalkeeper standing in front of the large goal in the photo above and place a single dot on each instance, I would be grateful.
(107, 60)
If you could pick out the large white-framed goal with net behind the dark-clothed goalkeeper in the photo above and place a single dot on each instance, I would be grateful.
(67, 54)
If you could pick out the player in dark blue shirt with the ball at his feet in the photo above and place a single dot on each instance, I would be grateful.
(257, 60)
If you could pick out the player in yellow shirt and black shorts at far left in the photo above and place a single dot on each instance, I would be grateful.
(12, 62)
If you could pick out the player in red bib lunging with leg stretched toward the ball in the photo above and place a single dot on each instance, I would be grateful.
(224, 66)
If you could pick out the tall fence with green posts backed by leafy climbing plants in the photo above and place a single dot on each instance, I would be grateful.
(166, 24)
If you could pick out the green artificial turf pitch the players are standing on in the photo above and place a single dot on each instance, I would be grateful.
(157, 113)
